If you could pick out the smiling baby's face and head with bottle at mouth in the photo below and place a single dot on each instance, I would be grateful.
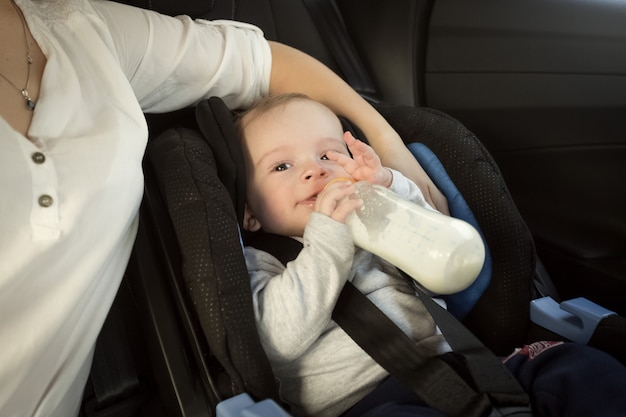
(287, 166)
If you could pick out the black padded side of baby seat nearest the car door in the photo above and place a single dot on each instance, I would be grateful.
(501, 317)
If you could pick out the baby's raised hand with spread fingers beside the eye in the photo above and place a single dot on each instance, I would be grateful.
(364, 165)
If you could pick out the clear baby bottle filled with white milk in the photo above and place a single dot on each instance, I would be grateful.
(443, 254)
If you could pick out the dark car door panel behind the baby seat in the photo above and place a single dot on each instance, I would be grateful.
(543, 85)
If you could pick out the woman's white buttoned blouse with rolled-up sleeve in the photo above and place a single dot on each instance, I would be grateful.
(71, 193)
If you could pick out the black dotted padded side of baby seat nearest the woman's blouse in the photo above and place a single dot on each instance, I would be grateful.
(214, 268)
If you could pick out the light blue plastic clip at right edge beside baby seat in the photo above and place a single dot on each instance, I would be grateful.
(575, 319)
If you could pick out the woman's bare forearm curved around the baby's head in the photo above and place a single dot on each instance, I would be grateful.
(293, 70)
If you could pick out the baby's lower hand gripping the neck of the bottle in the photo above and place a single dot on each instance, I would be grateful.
(335, 202)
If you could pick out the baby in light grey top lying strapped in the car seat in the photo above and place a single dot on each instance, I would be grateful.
(299, 184)
